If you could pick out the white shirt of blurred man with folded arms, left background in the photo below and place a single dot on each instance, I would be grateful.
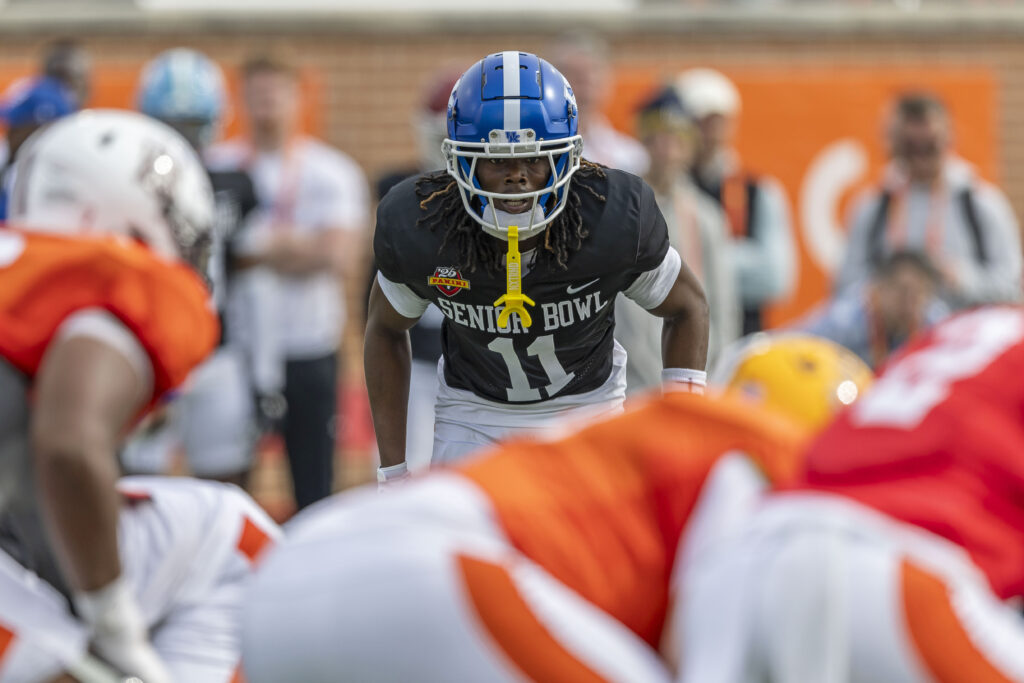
(308, 187)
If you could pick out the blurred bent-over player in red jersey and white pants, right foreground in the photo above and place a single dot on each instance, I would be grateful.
(899, 552)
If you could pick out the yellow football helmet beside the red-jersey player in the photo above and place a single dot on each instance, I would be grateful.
(806, 377)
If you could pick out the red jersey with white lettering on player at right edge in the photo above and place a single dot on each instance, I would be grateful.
(938, 442)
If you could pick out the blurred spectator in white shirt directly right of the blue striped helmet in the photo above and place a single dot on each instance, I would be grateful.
(583, 60)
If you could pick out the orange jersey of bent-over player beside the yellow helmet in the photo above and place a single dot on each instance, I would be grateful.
(604, 510)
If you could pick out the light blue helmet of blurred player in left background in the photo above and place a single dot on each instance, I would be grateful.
(185, 89)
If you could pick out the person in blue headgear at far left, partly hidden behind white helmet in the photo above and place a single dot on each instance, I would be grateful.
(31, 106)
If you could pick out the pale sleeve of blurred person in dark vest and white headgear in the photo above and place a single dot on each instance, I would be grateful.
(765, 265)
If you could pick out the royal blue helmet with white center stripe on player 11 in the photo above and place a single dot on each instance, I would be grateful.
(514, 105)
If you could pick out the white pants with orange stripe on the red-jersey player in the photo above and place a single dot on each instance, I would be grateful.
(821, 589)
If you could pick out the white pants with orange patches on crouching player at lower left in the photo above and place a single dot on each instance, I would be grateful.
(188, 550)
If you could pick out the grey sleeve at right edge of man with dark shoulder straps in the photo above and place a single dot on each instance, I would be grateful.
(1000, 279)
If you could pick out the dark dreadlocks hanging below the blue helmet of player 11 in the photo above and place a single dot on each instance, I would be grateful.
(563, 237)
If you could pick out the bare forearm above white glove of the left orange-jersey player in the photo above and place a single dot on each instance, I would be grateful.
(77, 481)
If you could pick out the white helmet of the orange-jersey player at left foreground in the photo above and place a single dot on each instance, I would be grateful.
(113, 172)
